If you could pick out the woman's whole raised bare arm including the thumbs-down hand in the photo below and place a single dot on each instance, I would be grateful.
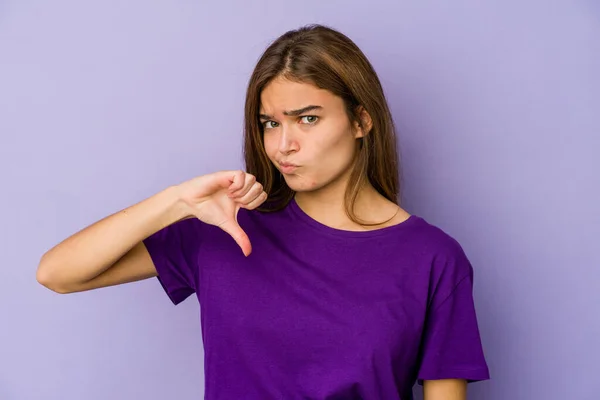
(111, 251)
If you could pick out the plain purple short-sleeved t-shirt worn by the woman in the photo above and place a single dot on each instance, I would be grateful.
(320, 313)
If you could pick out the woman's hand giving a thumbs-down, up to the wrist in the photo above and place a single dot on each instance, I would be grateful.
(216, 199)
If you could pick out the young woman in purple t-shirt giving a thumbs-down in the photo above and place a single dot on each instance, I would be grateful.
(337, 292)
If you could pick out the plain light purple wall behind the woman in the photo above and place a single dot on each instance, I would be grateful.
(103, 103)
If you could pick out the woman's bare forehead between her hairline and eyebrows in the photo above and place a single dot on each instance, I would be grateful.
(283, 95)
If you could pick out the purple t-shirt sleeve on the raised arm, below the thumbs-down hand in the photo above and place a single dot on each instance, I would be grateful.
(174, 251)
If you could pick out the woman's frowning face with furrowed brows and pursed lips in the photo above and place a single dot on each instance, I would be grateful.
(307, 134)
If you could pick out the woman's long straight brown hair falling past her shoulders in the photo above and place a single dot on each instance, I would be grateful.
(328, 59)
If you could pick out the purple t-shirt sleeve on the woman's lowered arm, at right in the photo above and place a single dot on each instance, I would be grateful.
(452, 347)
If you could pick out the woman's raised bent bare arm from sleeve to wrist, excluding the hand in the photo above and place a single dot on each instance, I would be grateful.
(110, 251)
